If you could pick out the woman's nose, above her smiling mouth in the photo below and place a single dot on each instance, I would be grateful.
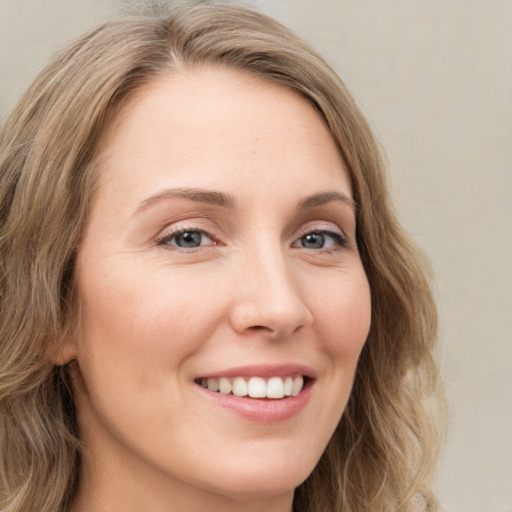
(268, 299)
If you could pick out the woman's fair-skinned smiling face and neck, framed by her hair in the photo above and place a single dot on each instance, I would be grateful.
(265, 282)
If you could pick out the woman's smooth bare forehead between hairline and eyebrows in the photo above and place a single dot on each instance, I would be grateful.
(219, 127)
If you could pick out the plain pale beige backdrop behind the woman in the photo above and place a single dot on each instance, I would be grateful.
(435, 79)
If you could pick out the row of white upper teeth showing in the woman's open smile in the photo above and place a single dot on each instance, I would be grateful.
(256, 387)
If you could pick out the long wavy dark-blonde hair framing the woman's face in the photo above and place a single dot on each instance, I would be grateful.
(383, 452)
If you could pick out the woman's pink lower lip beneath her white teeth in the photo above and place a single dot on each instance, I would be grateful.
(266, 410)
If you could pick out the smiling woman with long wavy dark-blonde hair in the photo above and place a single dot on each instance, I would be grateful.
(207, 301)
